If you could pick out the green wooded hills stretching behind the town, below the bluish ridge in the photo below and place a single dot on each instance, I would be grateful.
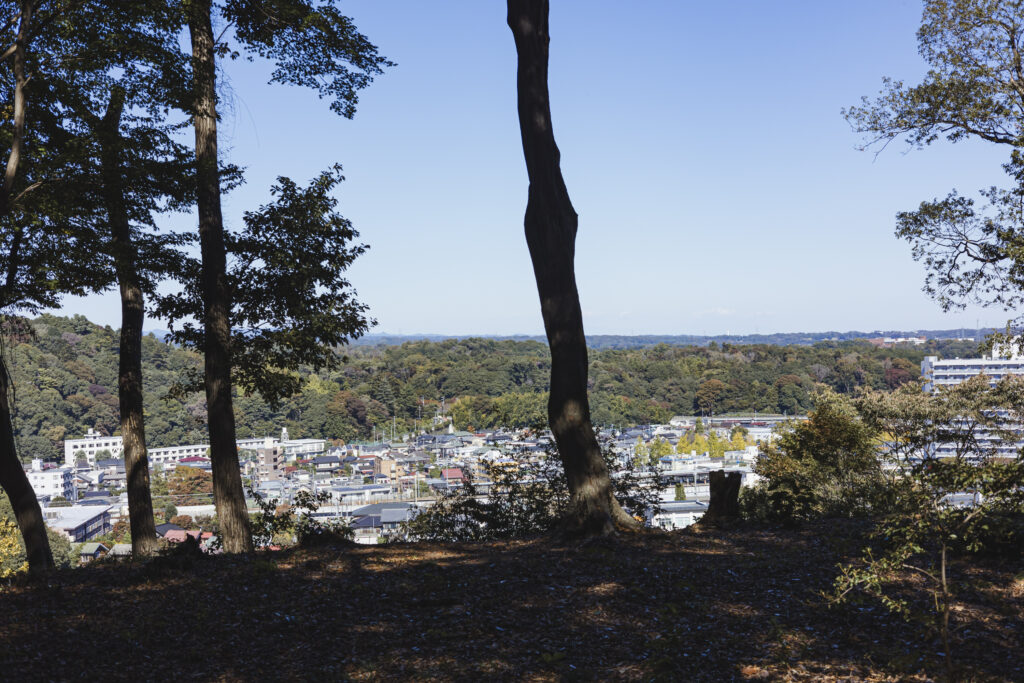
(66, 378)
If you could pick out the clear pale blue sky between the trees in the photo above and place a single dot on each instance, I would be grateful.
(718, 187)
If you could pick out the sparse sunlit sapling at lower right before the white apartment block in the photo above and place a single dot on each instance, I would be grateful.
(945, 509)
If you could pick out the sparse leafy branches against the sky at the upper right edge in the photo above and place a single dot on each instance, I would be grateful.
(971, 91)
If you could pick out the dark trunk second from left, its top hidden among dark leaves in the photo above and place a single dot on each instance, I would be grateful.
(144, 528)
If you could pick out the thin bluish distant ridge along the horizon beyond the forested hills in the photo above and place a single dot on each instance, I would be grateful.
(644, 341)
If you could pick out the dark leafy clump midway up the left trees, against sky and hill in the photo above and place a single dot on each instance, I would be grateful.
(292, 306)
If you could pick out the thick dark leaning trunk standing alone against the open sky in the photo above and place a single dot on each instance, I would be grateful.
(551, 227)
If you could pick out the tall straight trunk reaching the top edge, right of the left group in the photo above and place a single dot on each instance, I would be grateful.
(228, 492)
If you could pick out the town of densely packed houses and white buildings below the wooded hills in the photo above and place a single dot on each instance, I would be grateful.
(375, 488)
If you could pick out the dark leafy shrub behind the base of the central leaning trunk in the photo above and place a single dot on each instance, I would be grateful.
(523, 501)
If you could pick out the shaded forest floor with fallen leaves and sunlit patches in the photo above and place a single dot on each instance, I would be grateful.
(742, 605)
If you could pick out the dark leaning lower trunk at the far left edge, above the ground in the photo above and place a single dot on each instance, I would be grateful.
(16, 484)
